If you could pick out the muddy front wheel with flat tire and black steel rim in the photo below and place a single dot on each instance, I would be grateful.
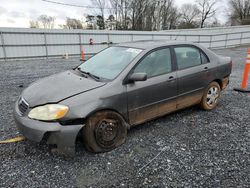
(104, 131)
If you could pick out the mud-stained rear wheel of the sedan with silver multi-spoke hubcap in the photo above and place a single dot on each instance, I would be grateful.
(211, 96)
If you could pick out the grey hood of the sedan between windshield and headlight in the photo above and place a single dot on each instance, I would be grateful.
(57, 87)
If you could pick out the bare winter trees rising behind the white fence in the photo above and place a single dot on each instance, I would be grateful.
(154, 15)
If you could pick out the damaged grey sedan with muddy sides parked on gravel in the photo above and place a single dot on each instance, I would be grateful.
(122, 86)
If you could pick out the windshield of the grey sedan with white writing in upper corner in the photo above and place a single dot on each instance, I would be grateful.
(110, 62)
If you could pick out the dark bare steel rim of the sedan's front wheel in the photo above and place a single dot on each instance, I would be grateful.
(106, 132)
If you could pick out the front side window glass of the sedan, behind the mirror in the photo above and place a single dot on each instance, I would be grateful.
(156, 63)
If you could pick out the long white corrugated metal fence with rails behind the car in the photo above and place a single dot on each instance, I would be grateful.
(19, 43)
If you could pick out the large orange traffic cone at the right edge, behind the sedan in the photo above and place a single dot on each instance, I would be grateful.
(245, 86)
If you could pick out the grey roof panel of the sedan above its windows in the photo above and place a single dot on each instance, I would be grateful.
(151, 44)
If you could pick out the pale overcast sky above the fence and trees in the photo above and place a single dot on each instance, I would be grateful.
(18, 13)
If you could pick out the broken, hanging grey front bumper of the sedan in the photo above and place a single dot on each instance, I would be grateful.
(63, 136)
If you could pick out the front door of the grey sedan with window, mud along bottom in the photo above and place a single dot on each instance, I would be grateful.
(157, 95)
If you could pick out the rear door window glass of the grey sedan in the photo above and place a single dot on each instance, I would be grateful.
(187, 57)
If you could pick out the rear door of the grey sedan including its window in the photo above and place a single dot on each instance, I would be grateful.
(192, 75)
